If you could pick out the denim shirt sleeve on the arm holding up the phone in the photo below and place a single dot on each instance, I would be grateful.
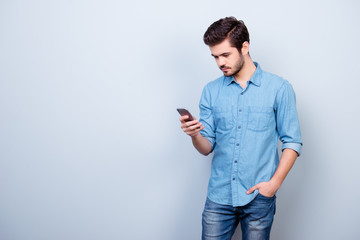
(206, 117)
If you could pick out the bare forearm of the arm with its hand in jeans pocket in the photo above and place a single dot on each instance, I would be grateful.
(287, 160)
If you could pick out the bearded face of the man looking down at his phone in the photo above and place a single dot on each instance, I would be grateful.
(228, 58)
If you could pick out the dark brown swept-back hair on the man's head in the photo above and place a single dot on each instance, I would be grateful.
(228, 27)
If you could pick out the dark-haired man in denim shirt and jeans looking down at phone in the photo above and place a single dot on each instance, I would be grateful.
(242, 116)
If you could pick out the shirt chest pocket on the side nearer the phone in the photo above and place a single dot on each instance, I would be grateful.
(223, 118)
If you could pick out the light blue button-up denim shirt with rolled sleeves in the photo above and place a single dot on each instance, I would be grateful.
(243, 127)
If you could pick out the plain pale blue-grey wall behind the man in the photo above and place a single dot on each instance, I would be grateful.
(90, 142)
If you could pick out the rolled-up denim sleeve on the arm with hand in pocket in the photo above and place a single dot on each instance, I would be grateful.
(287, 121)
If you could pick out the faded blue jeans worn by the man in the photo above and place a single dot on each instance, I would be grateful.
(220, 221)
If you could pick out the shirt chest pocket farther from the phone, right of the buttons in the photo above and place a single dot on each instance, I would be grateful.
(259, 118)
